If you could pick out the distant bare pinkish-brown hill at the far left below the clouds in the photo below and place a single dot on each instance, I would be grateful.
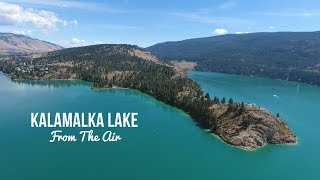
(15, 44)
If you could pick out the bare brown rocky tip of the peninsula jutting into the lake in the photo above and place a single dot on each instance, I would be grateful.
(252, 128)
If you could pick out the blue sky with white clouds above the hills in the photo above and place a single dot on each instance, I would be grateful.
(71, 23)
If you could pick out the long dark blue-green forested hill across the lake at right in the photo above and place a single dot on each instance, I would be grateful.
(293, 56)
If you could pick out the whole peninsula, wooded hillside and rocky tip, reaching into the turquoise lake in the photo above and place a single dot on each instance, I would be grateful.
(114, 65)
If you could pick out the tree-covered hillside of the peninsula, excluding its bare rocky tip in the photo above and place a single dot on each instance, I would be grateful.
(115, 66)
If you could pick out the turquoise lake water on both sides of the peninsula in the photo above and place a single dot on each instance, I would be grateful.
(167, 144)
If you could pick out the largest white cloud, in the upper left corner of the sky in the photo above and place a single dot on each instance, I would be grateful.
(11, 14)
